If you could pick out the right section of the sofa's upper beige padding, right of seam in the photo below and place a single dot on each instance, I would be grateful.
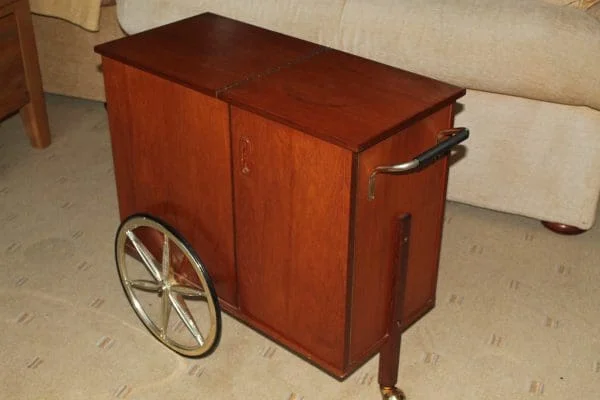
(528, 49)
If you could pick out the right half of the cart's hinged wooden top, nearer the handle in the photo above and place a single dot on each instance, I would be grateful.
(344, 99)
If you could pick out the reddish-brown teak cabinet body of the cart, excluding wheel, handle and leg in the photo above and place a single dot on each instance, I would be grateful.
(258, 148)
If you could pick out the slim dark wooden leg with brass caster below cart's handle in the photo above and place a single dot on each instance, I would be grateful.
(389, 356)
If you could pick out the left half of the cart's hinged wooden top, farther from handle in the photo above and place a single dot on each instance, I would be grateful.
(208, 53)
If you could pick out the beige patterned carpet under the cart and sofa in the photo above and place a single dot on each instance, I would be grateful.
(517, 317)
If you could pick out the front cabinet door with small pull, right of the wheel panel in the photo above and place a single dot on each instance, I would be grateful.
(292, 213)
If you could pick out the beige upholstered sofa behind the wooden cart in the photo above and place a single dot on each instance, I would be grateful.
(532, 69)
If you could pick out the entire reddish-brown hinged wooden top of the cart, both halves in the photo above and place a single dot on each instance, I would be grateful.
(341, 98)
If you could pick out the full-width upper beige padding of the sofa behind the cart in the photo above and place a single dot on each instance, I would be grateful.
(529, 49)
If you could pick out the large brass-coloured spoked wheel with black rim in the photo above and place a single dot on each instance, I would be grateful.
(167, 285)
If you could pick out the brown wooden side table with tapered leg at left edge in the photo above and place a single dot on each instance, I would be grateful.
(20, 79)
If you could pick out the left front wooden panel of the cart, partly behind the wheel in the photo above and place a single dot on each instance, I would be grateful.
(171, 151)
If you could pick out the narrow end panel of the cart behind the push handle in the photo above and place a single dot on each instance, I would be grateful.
(421, 194)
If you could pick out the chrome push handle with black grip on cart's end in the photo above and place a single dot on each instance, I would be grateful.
(454, 135)
